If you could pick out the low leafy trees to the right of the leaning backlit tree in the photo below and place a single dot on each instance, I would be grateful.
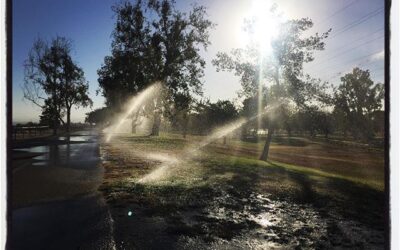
(353, 108)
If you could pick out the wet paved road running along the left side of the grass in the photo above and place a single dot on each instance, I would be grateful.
(60, 183)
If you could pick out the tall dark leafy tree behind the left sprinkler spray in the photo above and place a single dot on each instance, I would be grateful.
(153, 41)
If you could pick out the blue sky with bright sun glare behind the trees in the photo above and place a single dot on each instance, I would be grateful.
(357, 39)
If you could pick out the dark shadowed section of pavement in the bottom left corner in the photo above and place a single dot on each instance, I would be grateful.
(82, 223)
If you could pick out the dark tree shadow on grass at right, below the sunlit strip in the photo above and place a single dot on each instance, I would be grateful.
(350, 200)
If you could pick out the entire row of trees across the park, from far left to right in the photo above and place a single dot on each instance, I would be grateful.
(153, 41)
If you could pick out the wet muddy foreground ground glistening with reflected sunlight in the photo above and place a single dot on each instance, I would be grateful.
(255, 222)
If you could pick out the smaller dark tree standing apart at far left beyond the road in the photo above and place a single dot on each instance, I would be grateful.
(54, 82)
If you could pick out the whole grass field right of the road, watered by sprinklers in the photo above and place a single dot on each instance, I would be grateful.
(312, 194)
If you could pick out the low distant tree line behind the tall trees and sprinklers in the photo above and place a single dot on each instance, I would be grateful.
(354, 110)
